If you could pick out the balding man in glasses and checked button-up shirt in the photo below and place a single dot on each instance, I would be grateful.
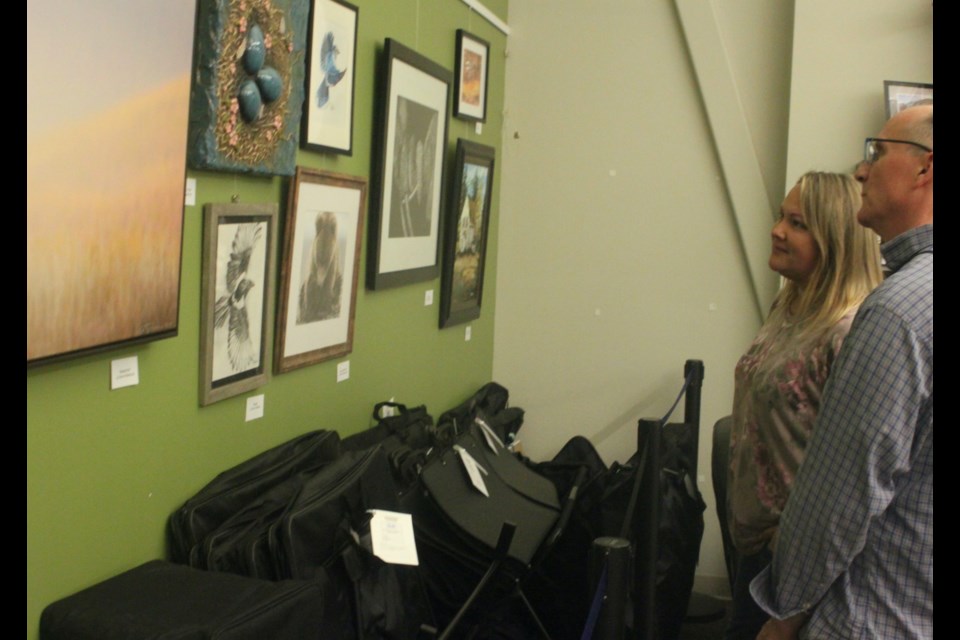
(854, 558)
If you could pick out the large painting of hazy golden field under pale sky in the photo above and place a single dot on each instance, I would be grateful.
(106, 162)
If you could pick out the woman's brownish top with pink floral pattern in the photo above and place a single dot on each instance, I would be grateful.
(778, 386)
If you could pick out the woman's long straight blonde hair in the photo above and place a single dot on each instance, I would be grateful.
(848, 267)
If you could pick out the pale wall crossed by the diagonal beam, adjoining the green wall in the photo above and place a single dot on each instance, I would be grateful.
(618, 250)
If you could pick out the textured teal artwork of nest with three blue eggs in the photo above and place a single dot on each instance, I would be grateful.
(247, 93)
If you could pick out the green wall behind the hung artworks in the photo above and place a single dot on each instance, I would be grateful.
(105, 468)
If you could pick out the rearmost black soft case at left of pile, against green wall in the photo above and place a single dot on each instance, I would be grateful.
(232, 489)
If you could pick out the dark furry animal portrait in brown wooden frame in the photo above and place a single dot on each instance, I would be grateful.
(321, 265)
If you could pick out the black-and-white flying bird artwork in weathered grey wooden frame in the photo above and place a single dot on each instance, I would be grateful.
(239, 254)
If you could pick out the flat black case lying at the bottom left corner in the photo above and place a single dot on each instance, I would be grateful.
(160, 600)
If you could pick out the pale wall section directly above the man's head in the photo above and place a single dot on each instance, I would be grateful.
(862, 44)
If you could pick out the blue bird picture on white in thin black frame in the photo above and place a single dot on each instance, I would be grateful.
(327, 124)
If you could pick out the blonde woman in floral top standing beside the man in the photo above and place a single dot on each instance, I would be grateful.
(830, 264)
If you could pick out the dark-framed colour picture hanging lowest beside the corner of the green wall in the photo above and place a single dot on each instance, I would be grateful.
(465, 238)
